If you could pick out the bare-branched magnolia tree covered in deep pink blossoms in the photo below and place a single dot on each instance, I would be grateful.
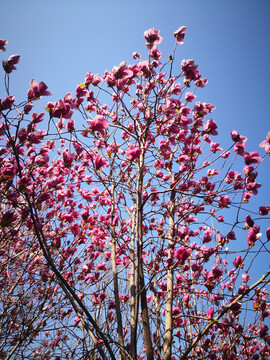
(126, 234)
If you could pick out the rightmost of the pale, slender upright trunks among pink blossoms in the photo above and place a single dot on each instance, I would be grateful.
(169, 301)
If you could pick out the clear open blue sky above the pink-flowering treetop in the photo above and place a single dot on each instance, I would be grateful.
(60, 40)
